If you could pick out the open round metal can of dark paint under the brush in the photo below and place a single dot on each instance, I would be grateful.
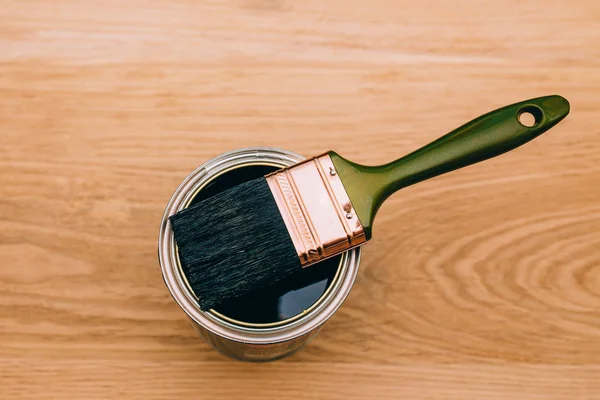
(276, 321)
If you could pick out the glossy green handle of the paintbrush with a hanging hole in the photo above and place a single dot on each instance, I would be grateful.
(487, 136)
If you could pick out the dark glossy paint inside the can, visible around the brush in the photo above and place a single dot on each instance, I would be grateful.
(290, 298)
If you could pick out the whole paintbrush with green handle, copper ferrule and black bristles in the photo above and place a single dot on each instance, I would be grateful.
(261, 231)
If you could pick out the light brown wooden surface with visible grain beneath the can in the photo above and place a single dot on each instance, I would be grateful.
(480, 284)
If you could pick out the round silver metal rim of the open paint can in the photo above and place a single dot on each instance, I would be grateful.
(186, 299)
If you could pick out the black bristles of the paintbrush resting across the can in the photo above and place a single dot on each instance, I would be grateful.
(233, 243)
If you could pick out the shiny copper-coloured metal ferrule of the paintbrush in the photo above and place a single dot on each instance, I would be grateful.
(316, 209)
